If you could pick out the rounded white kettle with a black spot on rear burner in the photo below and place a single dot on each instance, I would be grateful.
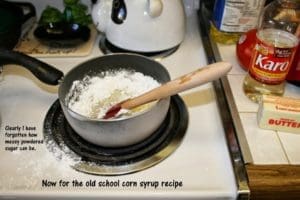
(141, 25)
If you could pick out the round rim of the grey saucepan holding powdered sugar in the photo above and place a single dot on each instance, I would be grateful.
(85, 118)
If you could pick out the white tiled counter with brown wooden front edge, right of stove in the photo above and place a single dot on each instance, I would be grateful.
(271, 158)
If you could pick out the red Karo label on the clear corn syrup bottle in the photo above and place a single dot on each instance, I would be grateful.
(270, 64)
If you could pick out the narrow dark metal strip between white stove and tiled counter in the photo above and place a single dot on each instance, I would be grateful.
(234, 148)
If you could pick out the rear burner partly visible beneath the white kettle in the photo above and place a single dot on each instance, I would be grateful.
(107, 47)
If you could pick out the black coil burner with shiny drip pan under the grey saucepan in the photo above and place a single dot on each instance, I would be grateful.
(93, 159)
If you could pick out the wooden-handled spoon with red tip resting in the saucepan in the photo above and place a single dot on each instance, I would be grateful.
(200, 76)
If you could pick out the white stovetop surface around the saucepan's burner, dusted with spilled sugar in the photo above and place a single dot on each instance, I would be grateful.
(199, 168)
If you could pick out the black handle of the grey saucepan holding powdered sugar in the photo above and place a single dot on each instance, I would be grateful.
(41, 70)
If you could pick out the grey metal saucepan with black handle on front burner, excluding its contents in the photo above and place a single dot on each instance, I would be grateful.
(109, 133)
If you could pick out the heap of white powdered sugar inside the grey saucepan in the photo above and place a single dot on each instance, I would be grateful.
(93, 96)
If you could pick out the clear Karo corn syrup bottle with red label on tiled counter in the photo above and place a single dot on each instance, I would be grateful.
(274, 50)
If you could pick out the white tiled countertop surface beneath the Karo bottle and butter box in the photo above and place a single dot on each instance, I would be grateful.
(265, 146)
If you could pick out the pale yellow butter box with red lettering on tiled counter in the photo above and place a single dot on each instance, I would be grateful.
(279, 113)
